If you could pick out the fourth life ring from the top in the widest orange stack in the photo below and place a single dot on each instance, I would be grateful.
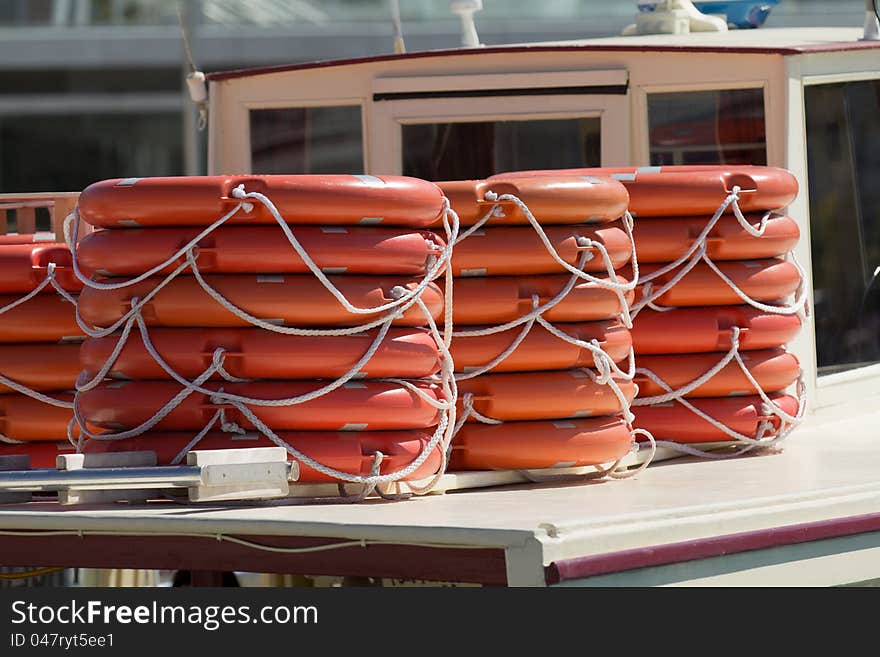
(256, 354)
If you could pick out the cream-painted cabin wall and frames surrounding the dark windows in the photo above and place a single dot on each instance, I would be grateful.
(780, 77)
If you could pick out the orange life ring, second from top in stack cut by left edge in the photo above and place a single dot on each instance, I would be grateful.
(44, 318)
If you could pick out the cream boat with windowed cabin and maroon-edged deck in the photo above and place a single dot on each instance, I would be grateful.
(807, 100)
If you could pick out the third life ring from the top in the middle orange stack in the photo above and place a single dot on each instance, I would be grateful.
(499, 299)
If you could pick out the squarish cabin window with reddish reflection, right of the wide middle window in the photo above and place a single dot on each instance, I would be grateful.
(707, 127)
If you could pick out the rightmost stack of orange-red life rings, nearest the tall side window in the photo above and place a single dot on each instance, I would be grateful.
(713, 309)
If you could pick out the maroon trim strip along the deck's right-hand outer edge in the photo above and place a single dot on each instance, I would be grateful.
(715, 546)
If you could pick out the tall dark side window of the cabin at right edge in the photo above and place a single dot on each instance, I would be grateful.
(843, 159)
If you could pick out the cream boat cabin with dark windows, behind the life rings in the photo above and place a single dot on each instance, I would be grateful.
(807, 100)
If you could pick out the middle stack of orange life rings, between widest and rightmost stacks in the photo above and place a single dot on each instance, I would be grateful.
(541, 340)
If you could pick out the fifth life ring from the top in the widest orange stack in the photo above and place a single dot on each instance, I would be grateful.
(355, 406)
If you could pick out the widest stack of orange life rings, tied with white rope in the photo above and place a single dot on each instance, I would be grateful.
(247, 311)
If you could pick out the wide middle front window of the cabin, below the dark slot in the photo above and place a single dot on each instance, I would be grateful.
(461, 151)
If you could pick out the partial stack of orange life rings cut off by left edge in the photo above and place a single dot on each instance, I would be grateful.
(39, 347)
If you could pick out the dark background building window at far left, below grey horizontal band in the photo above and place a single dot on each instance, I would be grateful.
(68, 153)
